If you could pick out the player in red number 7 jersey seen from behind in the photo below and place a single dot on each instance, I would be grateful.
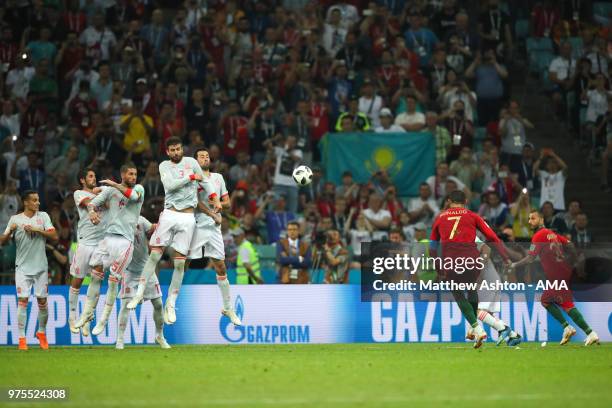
(455, 230)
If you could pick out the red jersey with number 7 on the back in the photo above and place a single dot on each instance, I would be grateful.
(455, 229)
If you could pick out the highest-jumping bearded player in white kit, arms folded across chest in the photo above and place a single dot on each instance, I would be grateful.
(181, 177)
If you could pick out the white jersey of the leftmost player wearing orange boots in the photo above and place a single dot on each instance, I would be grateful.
(31, 258)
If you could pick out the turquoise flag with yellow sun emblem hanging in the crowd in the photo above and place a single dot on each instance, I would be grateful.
(408, 158)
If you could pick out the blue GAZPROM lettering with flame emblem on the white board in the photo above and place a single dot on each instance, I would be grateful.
(261, 333)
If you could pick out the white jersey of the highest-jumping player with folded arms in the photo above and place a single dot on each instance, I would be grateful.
(177, 178)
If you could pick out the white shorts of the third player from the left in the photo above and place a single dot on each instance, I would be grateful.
(114, 252)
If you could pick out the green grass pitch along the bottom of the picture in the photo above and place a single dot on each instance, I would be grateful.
(346, 375)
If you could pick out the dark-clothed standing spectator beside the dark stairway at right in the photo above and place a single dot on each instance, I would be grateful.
(513, 135)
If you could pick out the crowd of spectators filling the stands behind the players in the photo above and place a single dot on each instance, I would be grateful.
(259, 83)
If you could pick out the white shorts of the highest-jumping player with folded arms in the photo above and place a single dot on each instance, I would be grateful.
(174, 229)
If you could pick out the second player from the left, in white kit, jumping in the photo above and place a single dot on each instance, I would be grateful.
(89, 236)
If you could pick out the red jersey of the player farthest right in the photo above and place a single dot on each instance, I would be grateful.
(548, 245)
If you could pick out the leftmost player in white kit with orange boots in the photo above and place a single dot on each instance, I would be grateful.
(31, 228)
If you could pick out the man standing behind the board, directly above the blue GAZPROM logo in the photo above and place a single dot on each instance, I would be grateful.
(293, 256)
